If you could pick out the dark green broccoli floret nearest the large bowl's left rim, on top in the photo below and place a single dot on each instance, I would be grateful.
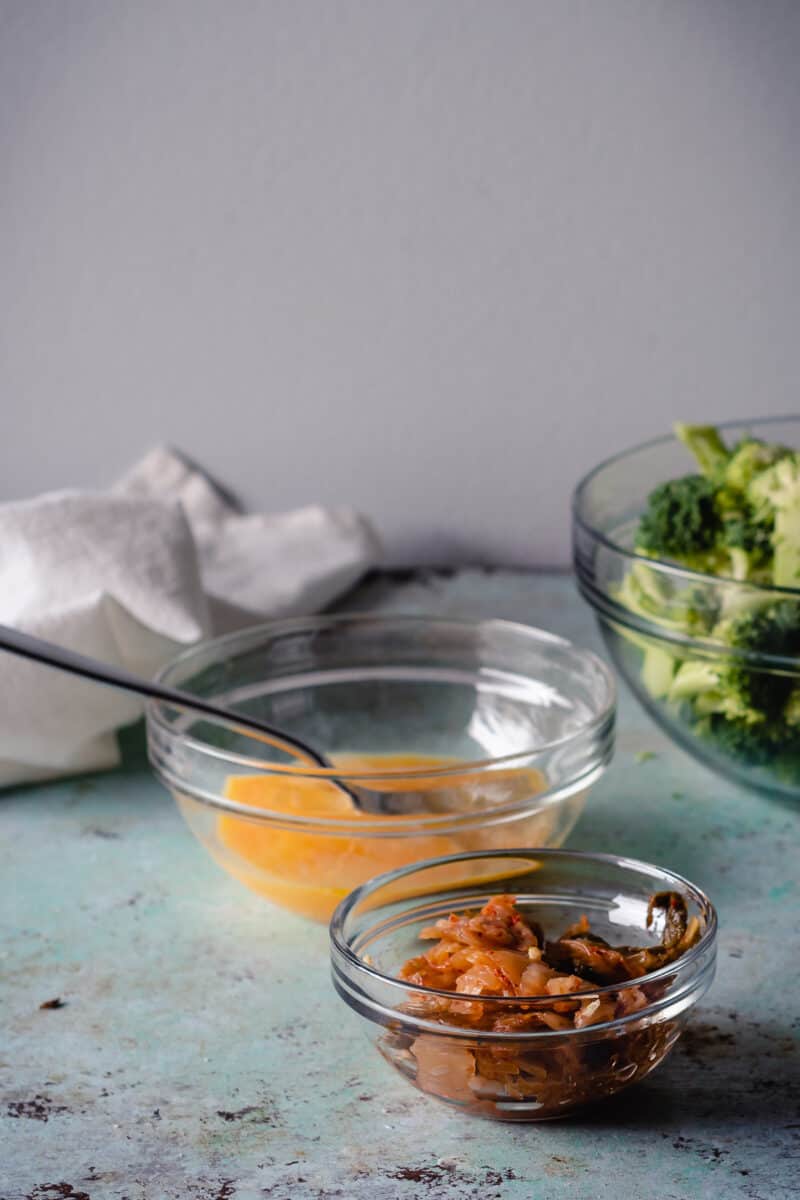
(682, 519)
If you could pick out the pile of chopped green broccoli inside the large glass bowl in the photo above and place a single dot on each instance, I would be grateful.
(739, 519)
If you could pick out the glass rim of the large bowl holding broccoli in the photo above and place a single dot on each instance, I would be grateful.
(665, 565)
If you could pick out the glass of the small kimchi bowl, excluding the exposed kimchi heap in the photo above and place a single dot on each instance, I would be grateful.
(521, 1076)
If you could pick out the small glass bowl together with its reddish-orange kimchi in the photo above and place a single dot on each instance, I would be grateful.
(522, 985)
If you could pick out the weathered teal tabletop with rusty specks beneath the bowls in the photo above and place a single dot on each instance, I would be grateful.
(203, 1055)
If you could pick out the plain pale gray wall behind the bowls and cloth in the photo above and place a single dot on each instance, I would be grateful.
(430, 259)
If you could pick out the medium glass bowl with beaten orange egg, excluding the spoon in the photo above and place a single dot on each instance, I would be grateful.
(522, 721)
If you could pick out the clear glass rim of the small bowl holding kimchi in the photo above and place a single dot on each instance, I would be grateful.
(341, 946)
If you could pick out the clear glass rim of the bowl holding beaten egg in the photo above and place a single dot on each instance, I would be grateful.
(604, 705)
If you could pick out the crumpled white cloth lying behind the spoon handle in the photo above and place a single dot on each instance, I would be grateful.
(131, 577)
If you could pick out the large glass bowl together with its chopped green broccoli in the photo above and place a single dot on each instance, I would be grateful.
(689, 550)
